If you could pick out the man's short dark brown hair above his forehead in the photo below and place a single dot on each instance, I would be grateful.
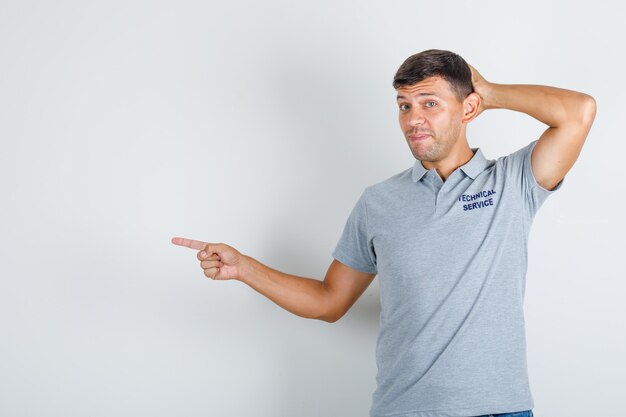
(432, 63)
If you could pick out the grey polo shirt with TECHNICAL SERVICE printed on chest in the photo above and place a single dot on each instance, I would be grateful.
(451, 259)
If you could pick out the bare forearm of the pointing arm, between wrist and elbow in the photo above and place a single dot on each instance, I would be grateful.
(305, 297)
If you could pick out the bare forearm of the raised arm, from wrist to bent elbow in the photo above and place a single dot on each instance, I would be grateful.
(550, 105)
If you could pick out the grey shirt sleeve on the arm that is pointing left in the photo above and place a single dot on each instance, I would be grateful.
(355, 247)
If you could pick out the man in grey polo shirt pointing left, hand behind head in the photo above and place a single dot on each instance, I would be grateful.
(447, 239)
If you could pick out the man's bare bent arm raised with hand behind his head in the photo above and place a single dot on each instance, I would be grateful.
(569, 115)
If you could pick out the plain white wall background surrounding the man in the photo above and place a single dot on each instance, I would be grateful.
(258, 124)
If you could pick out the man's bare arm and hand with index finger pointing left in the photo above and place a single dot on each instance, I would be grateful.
(326, 300)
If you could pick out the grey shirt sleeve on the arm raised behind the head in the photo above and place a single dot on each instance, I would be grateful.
(519, 169)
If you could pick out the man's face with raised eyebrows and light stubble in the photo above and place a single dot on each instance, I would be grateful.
(431, 118)
